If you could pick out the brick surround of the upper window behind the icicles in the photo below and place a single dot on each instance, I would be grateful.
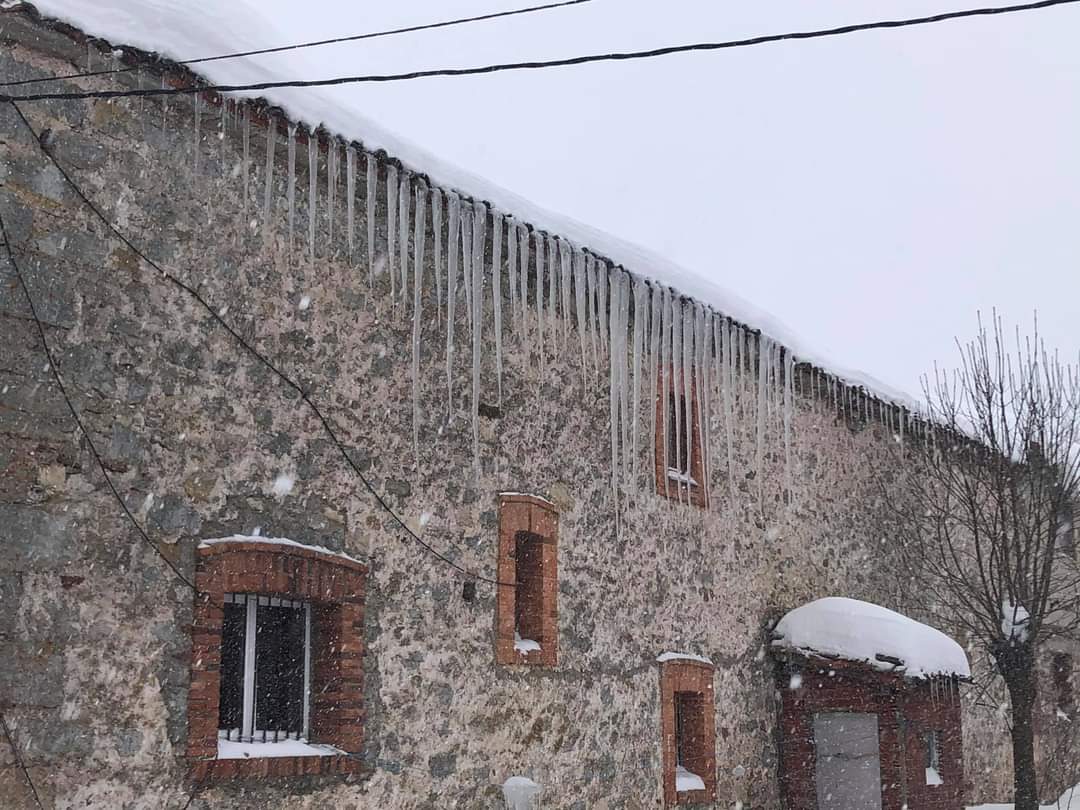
(666, 461)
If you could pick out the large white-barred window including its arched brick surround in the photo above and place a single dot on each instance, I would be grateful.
(277, 670)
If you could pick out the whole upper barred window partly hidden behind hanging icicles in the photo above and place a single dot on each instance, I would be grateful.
(679, 449)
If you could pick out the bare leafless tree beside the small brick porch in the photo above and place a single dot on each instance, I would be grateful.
(981, 511)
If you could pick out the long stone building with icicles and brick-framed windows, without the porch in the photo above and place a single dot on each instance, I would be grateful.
(547, 545)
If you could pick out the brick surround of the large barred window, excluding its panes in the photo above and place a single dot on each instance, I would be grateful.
(334, 586)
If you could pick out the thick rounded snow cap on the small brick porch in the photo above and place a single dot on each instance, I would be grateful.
(858, 631)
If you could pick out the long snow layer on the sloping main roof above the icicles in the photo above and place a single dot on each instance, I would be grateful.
(169, 29)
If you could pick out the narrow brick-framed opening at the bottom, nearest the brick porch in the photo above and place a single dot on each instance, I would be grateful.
(688, 728)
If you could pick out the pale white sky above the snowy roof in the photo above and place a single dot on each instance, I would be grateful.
(870, 192)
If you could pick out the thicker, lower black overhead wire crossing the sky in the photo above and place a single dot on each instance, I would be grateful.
(618, 57)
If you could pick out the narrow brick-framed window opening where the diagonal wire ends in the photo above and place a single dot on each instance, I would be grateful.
(529, 556)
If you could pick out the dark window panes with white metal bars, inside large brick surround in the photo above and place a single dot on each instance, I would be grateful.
(266, 669)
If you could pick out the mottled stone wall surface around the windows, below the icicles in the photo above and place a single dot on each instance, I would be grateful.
(195, 431)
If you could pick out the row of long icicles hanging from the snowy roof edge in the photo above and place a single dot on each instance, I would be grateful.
(709, 370)
